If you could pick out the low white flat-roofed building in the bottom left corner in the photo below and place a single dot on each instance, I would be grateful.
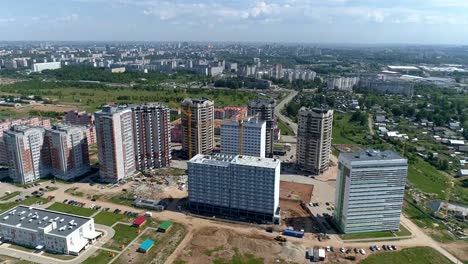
(51, 231)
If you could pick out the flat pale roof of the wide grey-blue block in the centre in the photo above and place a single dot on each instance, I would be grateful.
(226, 160)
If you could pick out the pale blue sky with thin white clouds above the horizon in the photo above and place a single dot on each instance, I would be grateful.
(307, 21)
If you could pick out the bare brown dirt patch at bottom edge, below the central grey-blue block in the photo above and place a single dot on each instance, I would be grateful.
(213, 243)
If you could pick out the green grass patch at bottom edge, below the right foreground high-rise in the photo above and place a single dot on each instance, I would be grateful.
(417, 255)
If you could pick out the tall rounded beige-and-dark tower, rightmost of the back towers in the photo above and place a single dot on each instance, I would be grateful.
(314, 136)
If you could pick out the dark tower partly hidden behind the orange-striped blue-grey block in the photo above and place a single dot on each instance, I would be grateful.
(264, 109)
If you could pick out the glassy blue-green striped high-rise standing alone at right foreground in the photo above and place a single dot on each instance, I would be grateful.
(369, 191)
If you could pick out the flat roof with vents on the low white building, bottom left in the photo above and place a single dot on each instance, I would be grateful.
(33, 218)
